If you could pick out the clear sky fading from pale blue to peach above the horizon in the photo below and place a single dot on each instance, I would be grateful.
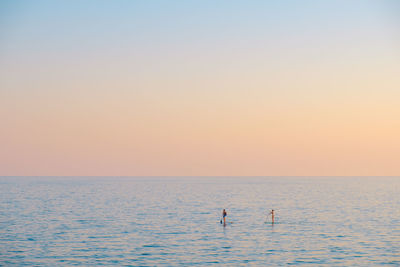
(200, 87)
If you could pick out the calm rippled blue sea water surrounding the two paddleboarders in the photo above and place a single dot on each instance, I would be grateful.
(339, 221)
